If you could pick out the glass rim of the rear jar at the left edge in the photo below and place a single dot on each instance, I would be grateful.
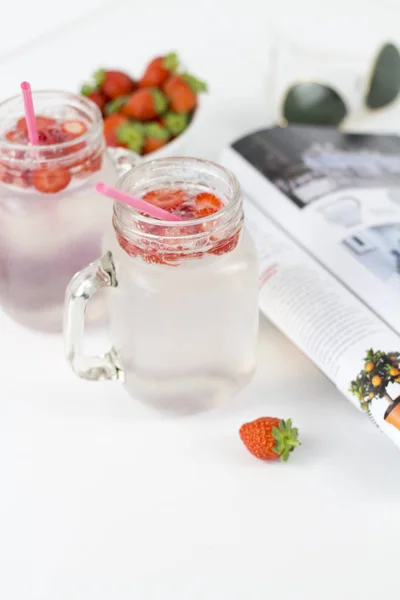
(86, 102)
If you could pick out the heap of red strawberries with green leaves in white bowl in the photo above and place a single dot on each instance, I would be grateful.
(144, 115)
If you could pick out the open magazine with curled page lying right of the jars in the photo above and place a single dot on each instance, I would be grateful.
(324, 211)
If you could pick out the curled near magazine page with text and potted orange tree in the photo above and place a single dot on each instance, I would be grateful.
(329, 324)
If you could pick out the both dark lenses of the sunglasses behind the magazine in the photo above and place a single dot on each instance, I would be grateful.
(312, 103)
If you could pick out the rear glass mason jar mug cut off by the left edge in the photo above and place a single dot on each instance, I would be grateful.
(51, 219)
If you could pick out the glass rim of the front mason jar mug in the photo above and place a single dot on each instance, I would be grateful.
(125, 213)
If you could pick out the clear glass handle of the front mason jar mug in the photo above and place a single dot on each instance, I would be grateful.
(97, 275)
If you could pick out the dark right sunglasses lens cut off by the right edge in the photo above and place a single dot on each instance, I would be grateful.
(385, 80)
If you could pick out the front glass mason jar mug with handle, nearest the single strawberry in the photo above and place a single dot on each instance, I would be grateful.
(183, 313)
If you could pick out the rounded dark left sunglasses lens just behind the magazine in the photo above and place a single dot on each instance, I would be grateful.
(313, 104)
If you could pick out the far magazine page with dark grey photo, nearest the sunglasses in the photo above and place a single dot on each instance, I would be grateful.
(339, 196)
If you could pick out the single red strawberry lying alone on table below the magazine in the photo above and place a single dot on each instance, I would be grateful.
(269, 438)
